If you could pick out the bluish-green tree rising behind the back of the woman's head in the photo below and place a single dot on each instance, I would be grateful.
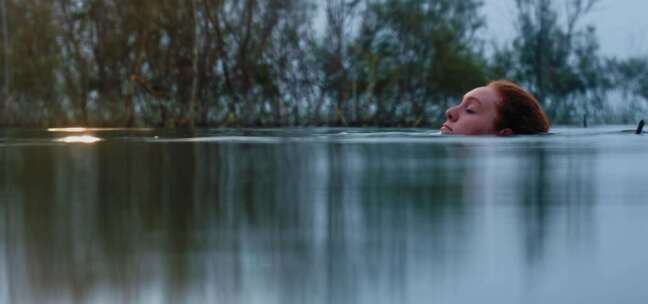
(557, 58)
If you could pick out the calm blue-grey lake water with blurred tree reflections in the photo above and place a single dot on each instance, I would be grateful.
(322, 216)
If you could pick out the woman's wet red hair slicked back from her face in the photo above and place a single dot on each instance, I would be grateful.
(518, 110)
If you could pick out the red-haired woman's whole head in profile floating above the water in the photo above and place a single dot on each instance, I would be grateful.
(500, 108)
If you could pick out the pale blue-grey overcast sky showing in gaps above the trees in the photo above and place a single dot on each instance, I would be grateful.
(621, 25)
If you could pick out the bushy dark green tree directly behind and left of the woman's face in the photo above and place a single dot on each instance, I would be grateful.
(412, 57)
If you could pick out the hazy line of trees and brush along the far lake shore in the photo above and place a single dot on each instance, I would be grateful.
(297, 62)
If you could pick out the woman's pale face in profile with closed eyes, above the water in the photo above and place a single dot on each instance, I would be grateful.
(475, 115)
